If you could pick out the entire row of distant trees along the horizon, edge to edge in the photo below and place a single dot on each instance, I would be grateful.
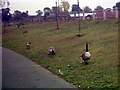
(62, 9)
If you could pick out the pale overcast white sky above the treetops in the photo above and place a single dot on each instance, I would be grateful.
(34, 5)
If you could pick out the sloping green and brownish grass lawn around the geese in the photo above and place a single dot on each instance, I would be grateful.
(102, 70)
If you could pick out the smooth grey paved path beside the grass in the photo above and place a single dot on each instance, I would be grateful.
(20, 72)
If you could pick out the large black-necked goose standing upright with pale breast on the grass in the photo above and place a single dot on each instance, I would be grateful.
(86, 56)
